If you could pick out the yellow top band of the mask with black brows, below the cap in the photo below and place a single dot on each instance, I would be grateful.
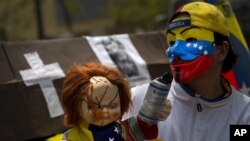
(189, 33)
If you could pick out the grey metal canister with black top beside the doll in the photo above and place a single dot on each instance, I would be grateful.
(155, 98)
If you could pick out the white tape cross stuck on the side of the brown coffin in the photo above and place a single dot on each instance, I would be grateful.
(44, 75)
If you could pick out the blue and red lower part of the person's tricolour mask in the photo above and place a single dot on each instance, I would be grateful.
(197, 56)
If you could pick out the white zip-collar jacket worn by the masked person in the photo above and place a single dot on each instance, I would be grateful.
(186, 123)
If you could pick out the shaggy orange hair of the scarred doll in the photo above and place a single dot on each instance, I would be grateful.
(77, 84)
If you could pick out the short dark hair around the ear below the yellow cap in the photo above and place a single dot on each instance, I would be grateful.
(231, 57)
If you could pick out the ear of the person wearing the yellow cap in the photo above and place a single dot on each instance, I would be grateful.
(222, 50)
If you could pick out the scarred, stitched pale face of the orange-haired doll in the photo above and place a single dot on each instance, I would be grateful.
(106, 100)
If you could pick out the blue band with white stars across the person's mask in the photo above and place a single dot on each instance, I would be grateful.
(188, 51)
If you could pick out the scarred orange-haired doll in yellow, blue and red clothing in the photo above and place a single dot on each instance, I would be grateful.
(94, 98)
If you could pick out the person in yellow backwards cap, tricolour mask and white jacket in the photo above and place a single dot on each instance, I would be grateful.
(204, 104)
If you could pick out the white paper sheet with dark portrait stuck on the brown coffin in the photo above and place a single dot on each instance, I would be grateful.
(118, 51)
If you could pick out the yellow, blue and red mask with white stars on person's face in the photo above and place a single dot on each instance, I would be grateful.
(190, 52)
